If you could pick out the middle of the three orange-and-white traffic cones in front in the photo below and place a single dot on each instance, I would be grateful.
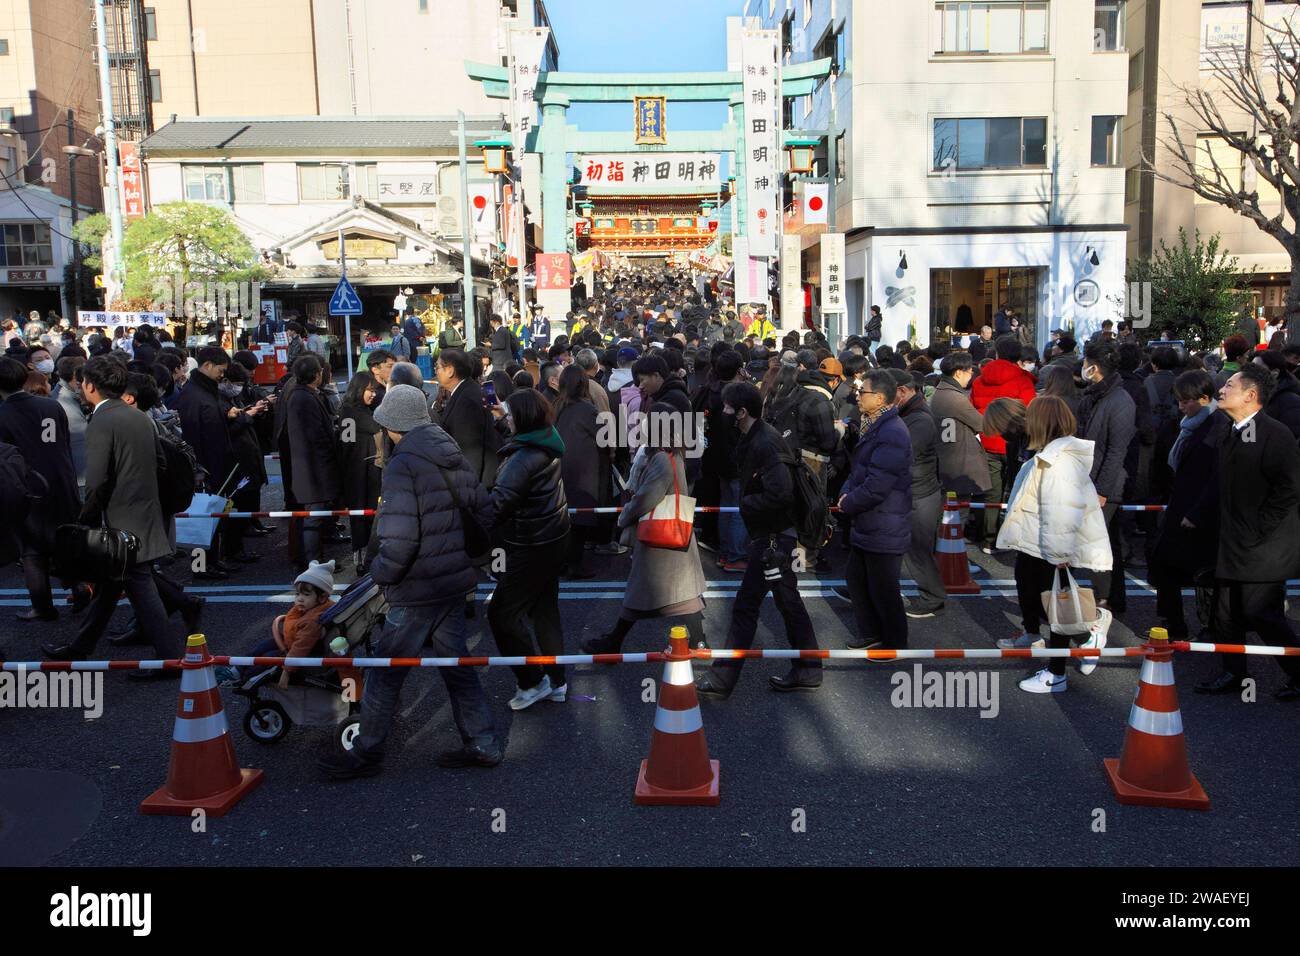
(678, 772)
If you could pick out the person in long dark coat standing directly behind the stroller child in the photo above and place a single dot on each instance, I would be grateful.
(315, 469)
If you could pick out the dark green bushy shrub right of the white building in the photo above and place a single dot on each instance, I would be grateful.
(1197, 291)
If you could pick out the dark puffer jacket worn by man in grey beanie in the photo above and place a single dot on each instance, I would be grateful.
(422, 559)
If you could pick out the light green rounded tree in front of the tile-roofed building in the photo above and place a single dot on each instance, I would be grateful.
(177, 244)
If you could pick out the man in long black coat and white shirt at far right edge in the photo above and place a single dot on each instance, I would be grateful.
(1259, 539)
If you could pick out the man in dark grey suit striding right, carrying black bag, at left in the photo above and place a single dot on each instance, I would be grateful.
(123, 460)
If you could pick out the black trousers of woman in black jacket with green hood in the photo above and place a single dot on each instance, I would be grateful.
(530, 591)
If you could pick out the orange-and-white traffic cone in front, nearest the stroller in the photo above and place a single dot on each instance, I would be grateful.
(205, 773)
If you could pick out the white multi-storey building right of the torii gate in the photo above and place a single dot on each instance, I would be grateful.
(980, 163)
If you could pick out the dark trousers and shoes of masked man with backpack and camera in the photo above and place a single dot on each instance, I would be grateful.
(749, 602)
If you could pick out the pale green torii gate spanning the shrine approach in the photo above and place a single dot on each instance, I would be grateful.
(554, 139)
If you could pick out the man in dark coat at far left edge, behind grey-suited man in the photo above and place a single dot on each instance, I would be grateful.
(38, 429)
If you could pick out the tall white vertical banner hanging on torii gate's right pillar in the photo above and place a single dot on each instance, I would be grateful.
(762, 89)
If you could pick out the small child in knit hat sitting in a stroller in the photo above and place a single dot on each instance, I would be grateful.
(317, 628)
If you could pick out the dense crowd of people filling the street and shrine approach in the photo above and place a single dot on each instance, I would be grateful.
(652, 393)
